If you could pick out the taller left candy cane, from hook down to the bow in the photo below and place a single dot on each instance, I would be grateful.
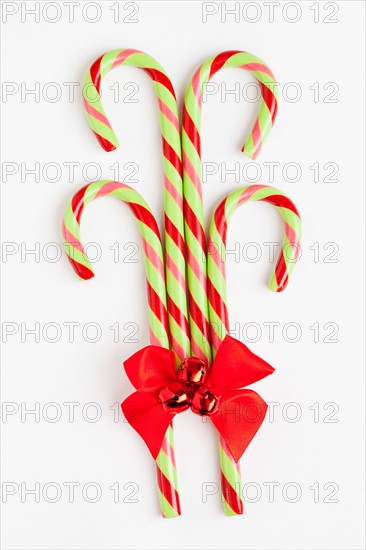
(173, 201)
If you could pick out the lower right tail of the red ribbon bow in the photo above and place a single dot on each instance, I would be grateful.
(239, 418)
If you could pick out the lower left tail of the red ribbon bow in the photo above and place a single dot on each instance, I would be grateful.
(146, 415)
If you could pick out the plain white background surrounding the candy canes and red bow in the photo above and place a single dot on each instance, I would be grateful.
(305, 452)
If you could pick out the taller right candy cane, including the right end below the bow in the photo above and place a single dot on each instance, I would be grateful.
(194, 218)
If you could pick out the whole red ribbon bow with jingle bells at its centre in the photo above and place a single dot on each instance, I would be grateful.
(162, 392)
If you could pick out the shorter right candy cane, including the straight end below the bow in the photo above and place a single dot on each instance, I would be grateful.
(218, 294)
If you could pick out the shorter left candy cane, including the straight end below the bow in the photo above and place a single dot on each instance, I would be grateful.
(156, 292)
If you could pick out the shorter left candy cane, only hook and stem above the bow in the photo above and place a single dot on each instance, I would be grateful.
(151, 244)
